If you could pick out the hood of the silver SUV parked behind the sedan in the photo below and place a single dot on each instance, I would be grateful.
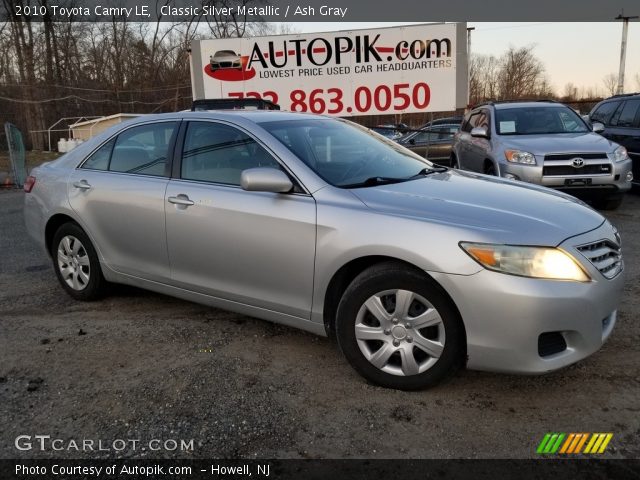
(559, 143)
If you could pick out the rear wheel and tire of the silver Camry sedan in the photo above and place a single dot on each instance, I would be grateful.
(76, 263)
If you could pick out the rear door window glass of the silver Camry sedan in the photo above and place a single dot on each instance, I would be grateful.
(143, 150)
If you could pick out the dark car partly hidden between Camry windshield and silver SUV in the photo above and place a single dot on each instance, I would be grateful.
(432, 142)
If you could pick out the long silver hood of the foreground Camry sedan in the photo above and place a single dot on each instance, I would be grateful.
(500, 211)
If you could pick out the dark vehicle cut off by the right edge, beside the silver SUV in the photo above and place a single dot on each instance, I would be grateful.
(620, 116)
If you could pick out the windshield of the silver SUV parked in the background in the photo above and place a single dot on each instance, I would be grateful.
(538, 120)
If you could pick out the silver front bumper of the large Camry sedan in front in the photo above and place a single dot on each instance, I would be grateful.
(504, 315)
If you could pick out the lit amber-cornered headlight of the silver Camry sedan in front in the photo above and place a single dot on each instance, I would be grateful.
(536, 262)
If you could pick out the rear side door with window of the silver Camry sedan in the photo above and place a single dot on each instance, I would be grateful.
(119, 195)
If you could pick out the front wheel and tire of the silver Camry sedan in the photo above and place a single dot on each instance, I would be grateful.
(398, 329)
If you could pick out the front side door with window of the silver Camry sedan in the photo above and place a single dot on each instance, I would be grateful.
(255, 248)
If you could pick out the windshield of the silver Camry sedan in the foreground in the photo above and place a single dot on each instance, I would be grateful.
(347, 155)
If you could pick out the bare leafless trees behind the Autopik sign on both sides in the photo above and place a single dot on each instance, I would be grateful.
(50, 70)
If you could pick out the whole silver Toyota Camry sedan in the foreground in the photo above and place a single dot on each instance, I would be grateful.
(415, 269)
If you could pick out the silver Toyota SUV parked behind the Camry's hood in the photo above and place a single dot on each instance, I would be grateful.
(546, 143)
